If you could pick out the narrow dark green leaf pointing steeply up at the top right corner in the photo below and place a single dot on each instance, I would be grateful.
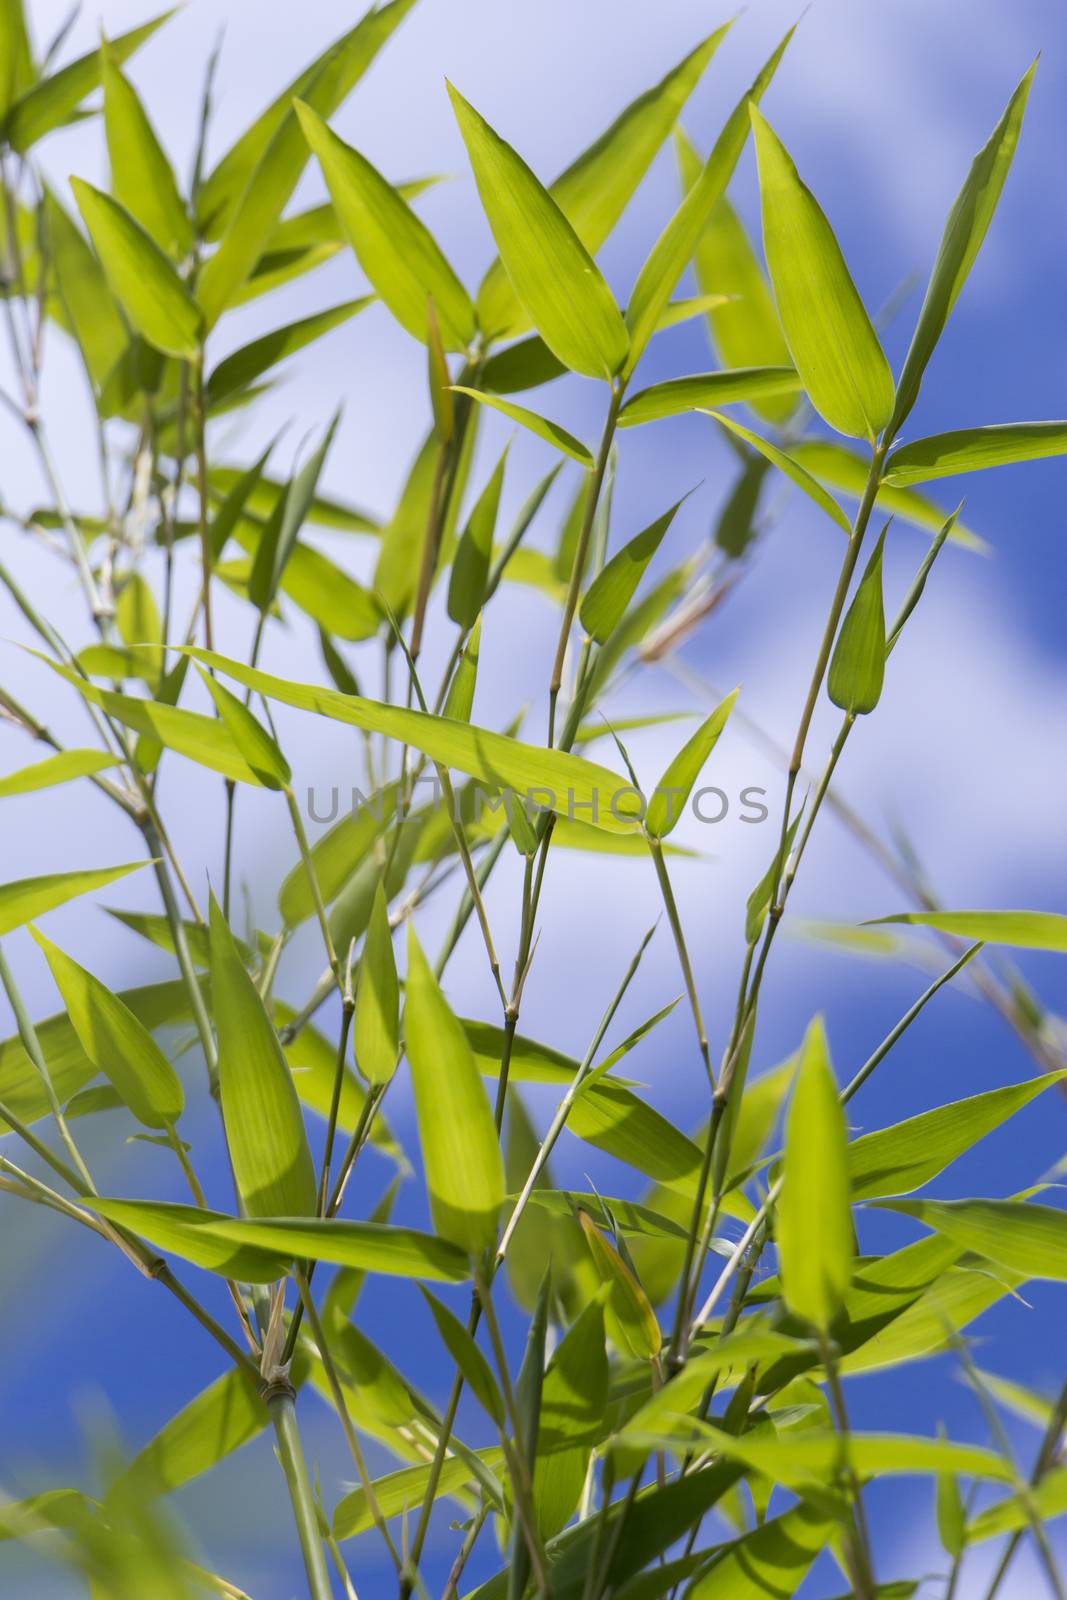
(964, 236)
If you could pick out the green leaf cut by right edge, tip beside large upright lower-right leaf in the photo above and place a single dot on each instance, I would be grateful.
(1028, 1239)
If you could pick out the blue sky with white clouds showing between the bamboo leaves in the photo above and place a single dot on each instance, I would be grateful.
(882, 110)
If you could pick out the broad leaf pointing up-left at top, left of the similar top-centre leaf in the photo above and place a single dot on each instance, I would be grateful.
(398, 252)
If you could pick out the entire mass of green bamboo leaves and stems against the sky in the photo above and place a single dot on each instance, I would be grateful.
(661, 1378)
